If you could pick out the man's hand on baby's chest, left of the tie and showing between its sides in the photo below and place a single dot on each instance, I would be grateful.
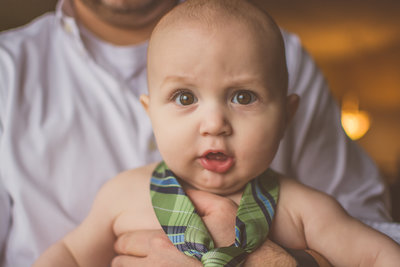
(153, 248)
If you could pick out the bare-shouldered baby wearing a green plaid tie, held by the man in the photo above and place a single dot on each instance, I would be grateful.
(219, 107)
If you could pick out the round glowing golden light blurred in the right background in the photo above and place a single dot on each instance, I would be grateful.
(355, 122)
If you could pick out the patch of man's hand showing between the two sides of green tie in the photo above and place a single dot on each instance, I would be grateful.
(218, 214)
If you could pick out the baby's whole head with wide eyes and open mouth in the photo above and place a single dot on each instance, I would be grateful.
(218, 99)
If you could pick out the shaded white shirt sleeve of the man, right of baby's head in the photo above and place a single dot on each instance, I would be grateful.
(317, 152)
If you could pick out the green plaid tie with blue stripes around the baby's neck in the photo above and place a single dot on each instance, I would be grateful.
(186, 230)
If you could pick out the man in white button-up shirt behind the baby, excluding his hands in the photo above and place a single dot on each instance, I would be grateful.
(71, 119)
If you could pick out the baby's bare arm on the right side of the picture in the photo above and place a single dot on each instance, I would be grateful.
(306, 218)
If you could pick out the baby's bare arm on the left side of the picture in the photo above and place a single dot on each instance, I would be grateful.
(91, 243)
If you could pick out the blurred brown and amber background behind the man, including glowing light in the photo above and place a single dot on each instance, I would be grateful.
(356, 43)
